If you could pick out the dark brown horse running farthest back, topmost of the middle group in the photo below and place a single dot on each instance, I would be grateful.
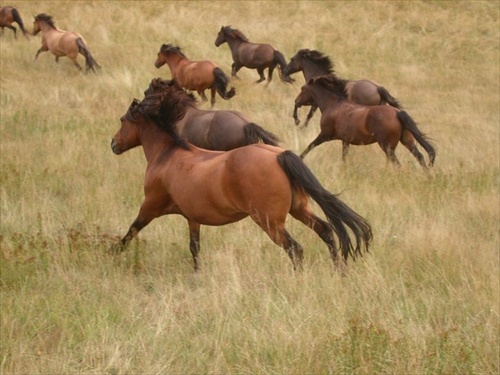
(252, 55)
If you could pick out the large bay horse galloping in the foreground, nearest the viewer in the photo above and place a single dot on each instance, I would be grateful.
(221, 187)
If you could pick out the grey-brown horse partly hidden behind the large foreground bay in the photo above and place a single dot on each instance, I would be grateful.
(209, 129)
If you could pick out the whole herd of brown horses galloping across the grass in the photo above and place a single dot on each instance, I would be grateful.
(216, 167)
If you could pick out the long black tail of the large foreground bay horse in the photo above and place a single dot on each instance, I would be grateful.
(339, 215)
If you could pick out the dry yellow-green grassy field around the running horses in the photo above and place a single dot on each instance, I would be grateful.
(425, 300)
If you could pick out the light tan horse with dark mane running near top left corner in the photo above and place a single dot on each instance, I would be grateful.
(62, 43)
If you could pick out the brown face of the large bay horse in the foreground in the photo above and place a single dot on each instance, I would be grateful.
(128, 135)
